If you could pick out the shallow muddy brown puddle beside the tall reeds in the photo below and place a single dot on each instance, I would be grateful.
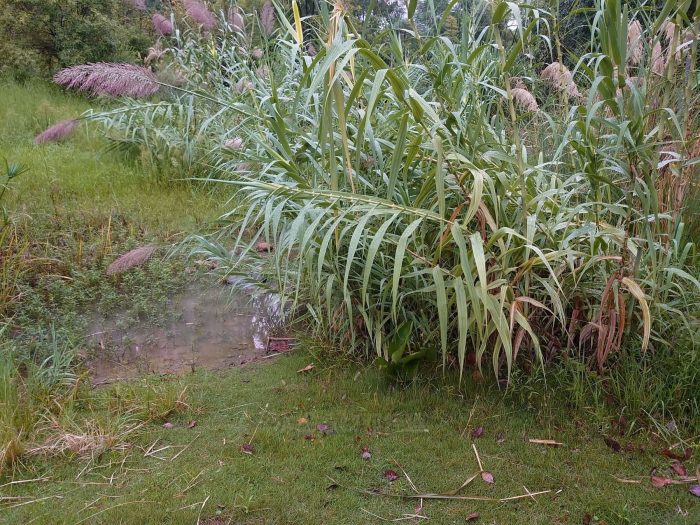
(213, 328)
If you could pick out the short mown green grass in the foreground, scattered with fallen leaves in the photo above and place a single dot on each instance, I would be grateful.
(289, 478)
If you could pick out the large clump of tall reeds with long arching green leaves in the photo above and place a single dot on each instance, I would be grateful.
(424, 211)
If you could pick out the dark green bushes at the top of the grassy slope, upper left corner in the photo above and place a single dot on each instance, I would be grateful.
(39, 36)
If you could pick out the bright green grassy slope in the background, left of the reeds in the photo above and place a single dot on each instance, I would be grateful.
(79, 176)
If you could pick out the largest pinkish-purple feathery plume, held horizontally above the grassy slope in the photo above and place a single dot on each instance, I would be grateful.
(116, 80)
